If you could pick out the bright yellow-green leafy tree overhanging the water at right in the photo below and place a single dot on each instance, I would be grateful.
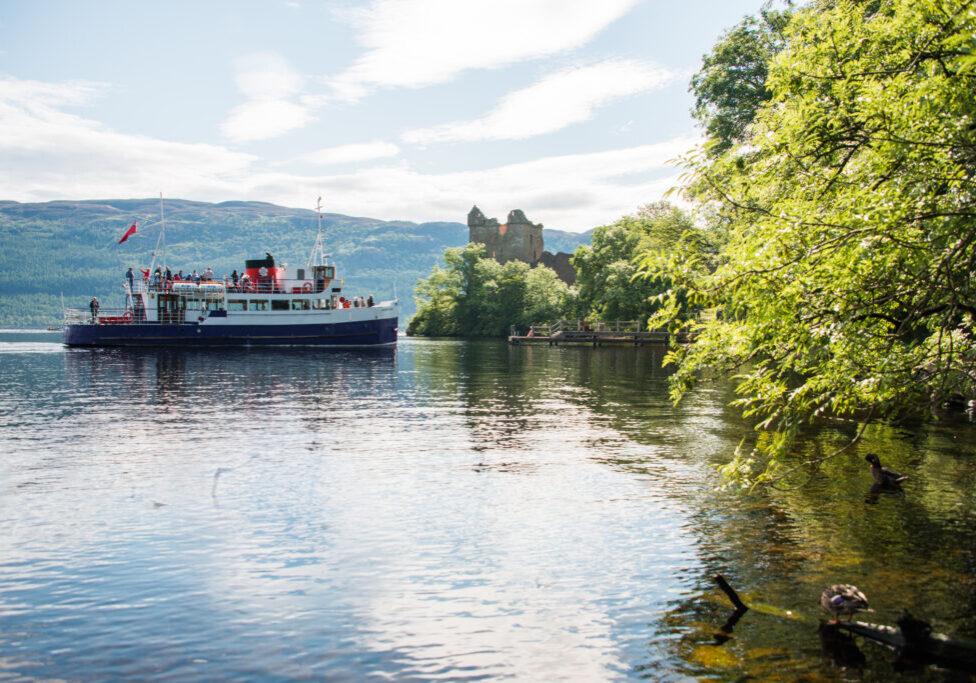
(847, 284)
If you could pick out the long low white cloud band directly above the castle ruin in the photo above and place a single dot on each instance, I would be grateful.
(570, 192)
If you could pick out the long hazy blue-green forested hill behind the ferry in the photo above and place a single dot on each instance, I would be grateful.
(70, 247)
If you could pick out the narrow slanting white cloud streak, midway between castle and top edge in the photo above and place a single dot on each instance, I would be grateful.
(553, 103)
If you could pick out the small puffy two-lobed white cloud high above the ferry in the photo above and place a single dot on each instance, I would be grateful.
(266, 80)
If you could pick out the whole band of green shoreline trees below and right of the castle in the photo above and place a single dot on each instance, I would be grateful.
(476, 296)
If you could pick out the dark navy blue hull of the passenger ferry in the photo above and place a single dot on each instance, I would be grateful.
(363, 333)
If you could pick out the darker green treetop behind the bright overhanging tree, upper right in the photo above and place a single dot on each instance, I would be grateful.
(731, 85)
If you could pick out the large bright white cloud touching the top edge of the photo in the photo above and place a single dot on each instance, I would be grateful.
(415, 43)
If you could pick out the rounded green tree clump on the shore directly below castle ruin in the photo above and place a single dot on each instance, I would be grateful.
(476, 296)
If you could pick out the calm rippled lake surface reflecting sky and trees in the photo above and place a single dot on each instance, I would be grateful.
(448, 510)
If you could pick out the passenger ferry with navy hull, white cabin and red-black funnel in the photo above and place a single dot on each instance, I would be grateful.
(270, 304)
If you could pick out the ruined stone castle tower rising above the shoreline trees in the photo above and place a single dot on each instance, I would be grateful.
(517, 240)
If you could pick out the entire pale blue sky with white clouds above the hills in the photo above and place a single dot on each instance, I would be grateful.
(392, 109)
